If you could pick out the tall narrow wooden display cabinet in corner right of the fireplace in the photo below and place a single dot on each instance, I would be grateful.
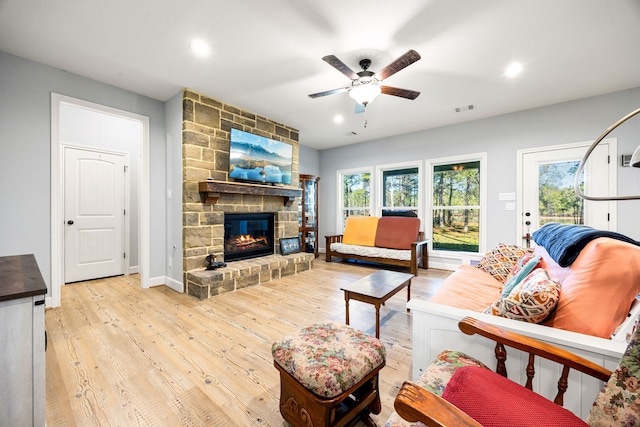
(308, 214)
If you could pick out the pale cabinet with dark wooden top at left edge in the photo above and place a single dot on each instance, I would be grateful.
(22, 342)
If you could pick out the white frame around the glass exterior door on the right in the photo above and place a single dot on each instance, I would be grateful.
(613, 178)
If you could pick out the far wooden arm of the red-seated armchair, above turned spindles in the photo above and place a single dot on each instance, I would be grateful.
(471, 326)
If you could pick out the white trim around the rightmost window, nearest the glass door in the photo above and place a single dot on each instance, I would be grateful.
(431, 163)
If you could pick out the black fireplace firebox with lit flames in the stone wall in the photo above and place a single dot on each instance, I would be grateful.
(248, 235)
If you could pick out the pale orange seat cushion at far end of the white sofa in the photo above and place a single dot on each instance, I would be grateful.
(470, 288)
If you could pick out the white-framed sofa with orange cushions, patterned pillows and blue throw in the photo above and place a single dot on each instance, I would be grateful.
(593, 313)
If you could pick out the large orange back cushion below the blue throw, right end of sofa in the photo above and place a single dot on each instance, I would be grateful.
(598, 291)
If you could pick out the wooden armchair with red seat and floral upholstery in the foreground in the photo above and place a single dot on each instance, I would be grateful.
(458, 390)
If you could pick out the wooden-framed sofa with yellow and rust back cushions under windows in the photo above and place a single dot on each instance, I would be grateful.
(387, 240)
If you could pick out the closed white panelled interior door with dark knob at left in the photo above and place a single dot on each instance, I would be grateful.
(93, 214)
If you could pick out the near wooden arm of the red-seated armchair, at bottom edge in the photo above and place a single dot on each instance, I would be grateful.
(414, 403)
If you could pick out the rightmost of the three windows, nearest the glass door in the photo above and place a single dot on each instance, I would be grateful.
(456, 204)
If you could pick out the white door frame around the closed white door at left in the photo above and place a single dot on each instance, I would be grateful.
(126, 240)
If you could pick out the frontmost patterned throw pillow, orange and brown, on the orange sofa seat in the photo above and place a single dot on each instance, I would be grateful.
(531, 301)
